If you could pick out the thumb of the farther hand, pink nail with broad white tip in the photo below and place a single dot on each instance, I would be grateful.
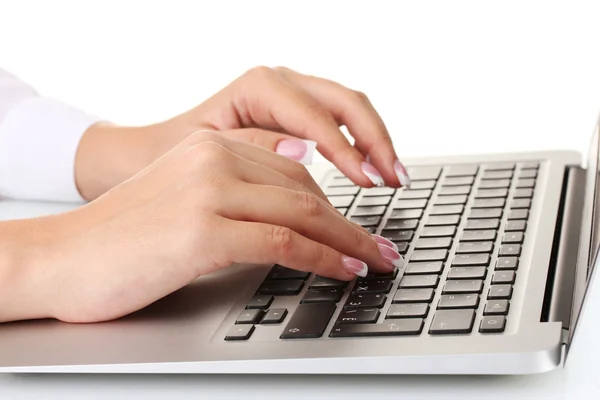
(300, 150)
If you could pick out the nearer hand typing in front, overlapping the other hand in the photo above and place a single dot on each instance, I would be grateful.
(208, 203)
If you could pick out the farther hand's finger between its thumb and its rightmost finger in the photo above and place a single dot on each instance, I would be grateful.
(265, 99)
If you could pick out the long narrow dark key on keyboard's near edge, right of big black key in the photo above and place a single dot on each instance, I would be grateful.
(409, 326)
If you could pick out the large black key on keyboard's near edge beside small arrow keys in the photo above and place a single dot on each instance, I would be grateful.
(308, 321)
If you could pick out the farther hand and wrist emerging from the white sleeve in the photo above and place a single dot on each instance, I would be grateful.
(278, 109)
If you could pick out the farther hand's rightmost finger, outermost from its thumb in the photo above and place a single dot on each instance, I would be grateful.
(354, 110)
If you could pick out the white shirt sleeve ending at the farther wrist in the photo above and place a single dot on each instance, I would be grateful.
(39, 137)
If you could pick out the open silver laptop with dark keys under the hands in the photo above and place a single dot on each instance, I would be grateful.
(499, 252)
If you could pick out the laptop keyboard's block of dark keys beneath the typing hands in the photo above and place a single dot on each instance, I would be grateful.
(461, 229)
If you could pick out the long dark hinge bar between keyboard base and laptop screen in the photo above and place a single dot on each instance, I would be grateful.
(563, 261)
